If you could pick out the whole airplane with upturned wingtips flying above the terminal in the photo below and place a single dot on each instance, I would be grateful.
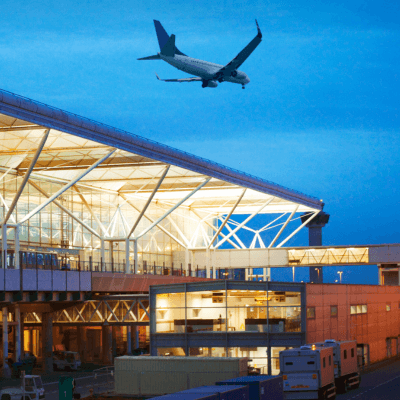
(206, 72)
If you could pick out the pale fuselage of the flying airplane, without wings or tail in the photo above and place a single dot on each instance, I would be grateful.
(203, 69)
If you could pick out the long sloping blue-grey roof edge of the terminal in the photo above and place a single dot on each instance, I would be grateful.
(51, 117)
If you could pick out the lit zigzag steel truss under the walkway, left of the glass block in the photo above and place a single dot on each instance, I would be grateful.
(99, 312)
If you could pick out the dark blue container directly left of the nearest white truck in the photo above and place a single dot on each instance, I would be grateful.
(261, 387)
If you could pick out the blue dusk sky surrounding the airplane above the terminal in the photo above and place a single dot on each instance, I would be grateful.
(320, 114)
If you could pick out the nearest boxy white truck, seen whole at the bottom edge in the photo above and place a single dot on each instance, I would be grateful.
(308, 373)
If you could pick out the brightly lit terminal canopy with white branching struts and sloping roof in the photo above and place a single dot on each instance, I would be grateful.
(70, 183)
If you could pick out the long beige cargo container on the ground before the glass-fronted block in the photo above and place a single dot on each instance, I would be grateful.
(155, 376)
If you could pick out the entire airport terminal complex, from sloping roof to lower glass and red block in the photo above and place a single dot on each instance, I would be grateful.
(90, 212)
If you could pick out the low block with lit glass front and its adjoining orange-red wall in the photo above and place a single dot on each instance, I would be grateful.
(259, 319)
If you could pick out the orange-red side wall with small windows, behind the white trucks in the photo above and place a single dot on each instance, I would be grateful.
(372, 328)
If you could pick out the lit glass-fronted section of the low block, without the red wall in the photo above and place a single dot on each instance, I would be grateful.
(228, 319)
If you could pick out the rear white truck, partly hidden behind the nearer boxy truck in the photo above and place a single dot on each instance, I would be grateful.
(347, 375)
